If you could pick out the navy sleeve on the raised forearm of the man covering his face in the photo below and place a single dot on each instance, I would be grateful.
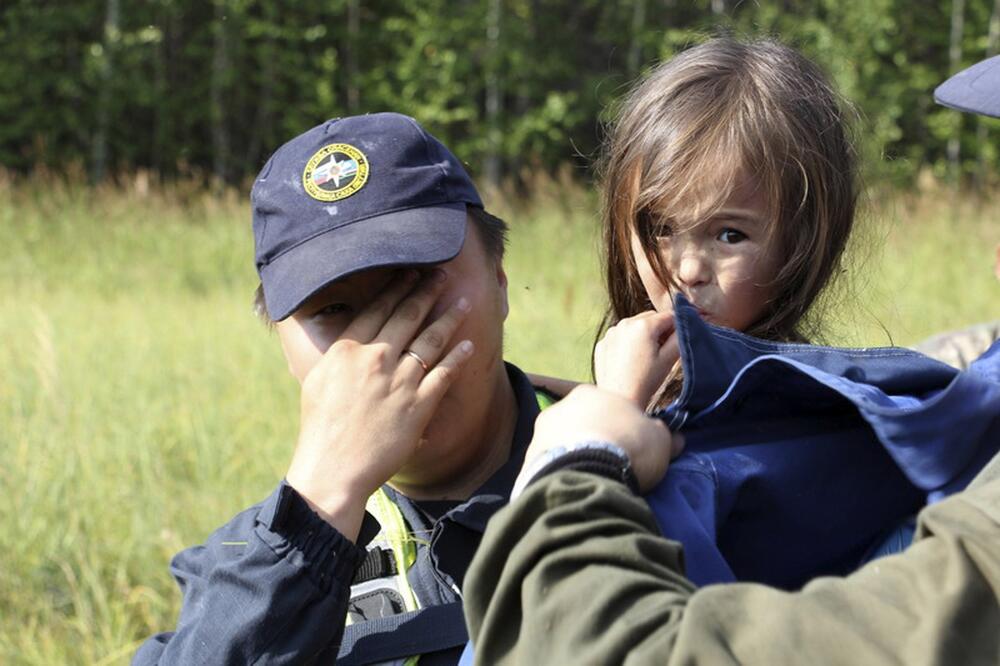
(272, 586)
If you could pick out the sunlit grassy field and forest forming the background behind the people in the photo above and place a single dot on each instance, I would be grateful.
(141, 403)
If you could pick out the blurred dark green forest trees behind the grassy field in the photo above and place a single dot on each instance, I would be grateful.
(198, 88)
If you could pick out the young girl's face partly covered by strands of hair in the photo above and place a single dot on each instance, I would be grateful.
(721, 264)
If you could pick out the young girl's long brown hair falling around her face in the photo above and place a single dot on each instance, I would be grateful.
(691, 131)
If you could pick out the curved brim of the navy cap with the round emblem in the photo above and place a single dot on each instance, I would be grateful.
(412, 237)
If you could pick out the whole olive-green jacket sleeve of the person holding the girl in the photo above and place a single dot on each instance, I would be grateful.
(576, 572)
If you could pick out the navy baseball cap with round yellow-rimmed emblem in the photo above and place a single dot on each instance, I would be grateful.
(351, 194)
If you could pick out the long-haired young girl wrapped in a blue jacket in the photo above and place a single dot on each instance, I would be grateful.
(729, 182)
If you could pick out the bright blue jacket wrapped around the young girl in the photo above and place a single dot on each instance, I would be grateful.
(798, 457)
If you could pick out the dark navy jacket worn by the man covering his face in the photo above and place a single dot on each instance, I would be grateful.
(272, 586)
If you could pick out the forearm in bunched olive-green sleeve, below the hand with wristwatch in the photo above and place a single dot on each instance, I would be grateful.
(574, 571)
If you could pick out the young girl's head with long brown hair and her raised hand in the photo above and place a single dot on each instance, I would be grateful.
(729, 178)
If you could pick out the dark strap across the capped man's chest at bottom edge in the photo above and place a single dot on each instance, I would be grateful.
(417, 632)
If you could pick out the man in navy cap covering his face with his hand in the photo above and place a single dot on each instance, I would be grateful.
(382, 275)
